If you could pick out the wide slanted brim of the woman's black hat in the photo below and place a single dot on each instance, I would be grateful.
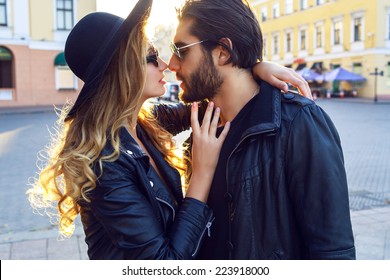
(141, 11)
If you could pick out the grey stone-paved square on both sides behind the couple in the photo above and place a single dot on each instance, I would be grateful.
(364, 129)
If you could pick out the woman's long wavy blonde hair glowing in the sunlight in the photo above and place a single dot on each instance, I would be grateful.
(67, 176)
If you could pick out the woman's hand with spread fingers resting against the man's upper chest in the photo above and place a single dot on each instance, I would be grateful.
(206, 147)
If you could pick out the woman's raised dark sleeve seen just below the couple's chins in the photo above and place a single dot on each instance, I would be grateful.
(176, 118)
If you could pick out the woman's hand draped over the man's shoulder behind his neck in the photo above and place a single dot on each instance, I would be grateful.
(277, 75)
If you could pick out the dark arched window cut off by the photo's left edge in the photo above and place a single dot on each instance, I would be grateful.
(6, 74)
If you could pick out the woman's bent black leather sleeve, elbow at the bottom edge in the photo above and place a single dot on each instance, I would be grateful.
(133, 226)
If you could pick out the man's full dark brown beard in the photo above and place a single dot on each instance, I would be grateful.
(203, 83)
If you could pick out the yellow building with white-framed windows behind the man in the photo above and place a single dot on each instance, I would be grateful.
(326, 34)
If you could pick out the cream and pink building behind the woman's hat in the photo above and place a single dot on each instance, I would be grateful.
(33, 70)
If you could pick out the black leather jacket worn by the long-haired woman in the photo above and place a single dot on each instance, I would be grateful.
(133, 215)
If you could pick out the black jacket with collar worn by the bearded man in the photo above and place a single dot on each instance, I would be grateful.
(287, 193)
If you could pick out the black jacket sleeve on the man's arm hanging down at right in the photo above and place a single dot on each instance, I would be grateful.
(318, 185)
